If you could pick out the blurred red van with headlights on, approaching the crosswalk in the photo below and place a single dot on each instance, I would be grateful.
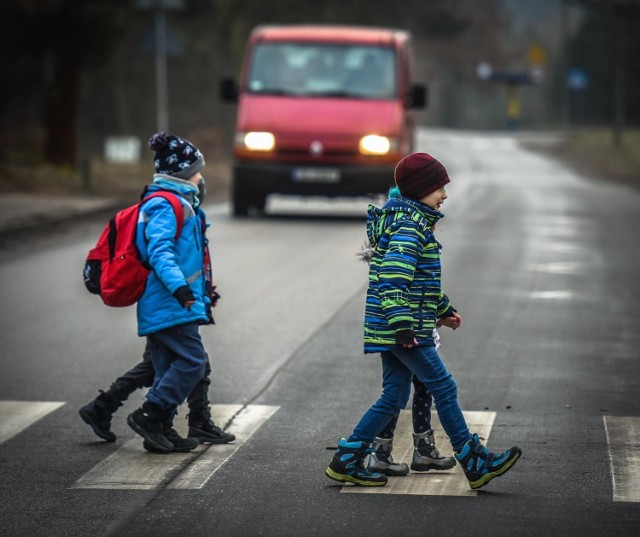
(322, 110)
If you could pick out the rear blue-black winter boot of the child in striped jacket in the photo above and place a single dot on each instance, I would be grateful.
(347, 465)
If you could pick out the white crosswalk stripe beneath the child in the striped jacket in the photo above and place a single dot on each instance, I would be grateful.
(433, 483)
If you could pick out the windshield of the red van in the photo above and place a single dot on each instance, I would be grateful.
(320, 70)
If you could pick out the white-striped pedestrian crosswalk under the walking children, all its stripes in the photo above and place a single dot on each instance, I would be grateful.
(130, 467)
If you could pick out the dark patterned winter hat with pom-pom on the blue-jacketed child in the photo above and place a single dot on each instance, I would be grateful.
(175, 156)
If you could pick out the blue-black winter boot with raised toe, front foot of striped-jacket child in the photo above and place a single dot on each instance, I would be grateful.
(481, 465)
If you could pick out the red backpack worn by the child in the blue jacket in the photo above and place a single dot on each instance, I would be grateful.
(113, 268)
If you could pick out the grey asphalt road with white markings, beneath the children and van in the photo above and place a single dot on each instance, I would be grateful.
(541, 263)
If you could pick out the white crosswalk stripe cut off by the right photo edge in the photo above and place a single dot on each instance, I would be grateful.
(623, 439)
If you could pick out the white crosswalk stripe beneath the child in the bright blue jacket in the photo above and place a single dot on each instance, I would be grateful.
(131, 467)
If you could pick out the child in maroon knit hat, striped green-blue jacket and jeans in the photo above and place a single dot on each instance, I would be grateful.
(404, 303)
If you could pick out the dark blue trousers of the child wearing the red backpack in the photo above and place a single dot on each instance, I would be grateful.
(179, 361)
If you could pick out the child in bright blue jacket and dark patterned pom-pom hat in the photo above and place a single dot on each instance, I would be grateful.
(177, 297)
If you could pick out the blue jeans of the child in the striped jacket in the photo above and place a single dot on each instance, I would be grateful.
(398, 366)
